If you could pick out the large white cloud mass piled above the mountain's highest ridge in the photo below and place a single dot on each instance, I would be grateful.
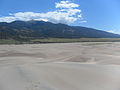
(66, 12)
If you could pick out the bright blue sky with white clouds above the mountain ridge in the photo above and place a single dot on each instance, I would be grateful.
(98, 14)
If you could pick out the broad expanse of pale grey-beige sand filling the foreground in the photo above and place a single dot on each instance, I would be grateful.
(62, 66)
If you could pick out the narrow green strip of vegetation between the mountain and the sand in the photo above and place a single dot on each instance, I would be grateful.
(57, 40)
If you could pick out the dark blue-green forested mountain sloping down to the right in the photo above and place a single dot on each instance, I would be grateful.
(41, 29)
